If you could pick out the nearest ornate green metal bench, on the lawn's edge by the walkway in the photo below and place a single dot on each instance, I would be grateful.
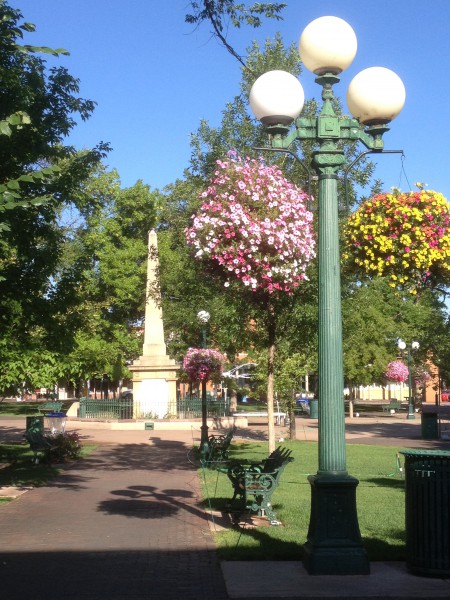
(255, 484)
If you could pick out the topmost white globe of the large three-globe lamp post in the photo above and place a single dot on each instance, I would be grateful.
(327, 45)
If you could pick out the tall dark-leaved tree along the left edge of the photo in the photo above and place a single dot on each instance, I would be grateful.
(40, 107)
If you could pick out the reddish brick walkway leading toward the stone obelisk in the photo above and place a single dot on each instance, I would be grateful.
(125, 523)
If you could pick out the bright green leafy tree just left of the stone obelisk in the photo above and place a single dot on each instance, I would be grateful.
(111, 245)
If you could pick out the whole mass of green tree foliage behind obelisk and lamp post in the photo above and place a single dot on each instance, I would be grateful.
(73, 242)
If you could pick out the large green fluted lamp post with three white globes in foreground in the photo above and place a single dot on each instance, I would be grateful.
(375, 96)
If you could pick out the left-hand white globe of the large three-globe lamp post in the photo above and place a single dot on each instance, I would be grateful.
(277, 97)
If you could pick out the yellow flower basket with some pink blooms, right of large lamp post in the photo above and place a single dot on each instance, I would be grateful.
(404, 236)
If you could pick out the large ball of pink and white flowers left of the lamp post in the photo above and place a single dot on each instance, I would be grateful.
(253, 225)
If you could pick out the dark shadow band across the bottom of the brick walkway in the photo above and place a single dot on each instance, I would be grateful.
(111, 574)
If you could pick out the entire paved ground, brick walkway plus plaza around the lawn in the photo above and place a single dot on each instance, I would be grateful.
(127, 523)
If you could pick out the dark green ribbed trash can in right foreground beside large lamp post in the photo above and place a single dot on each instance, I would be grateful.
(427, 474)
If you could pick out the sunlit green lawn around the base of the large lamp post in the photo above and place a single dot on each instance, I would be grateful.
(380, 501)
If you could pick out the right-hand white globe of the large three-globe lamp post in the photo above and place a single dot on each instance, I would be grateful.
(376, 95)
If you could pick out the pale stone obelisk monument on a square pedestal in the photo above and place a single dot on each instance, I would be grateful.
(154, 373)
